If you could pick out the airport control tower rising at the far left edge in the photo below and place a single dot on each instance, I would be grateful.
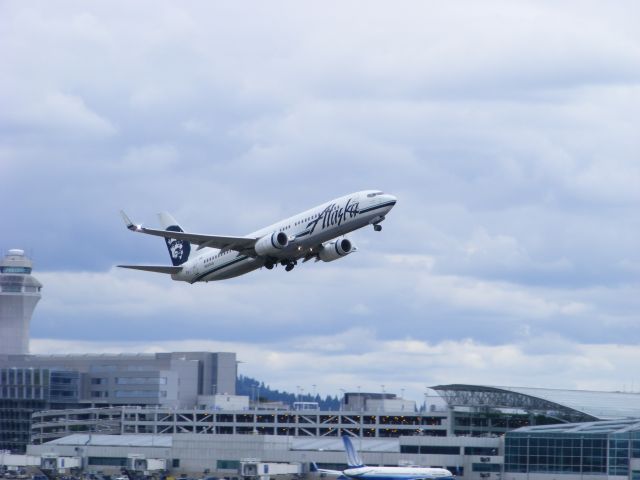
(19, 294)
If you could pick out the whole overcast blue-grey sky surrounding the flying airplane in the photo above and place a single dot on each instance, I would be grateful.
(509, 131)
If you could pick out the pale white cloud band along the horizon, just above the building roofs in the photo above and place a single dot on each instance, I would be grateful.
(409, 365)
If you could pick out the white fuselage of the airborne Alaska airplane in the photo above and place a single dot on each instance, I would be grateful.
(306, 231)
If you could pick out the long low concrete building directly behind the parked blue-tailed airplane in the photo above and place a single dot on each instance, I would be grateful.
(220, 455)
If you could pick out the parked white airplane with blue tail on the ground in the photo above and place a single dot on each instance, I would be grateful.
(359, 471)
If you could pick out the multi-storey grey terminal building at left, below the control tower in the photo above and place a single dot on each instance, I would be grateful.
(32, 383)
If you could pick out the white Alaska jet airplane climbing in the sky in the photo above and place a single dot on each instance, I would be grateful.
(317, 233)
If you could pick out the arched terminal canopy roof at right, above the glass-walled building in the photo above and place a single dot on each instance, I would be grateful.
(568, 405)
